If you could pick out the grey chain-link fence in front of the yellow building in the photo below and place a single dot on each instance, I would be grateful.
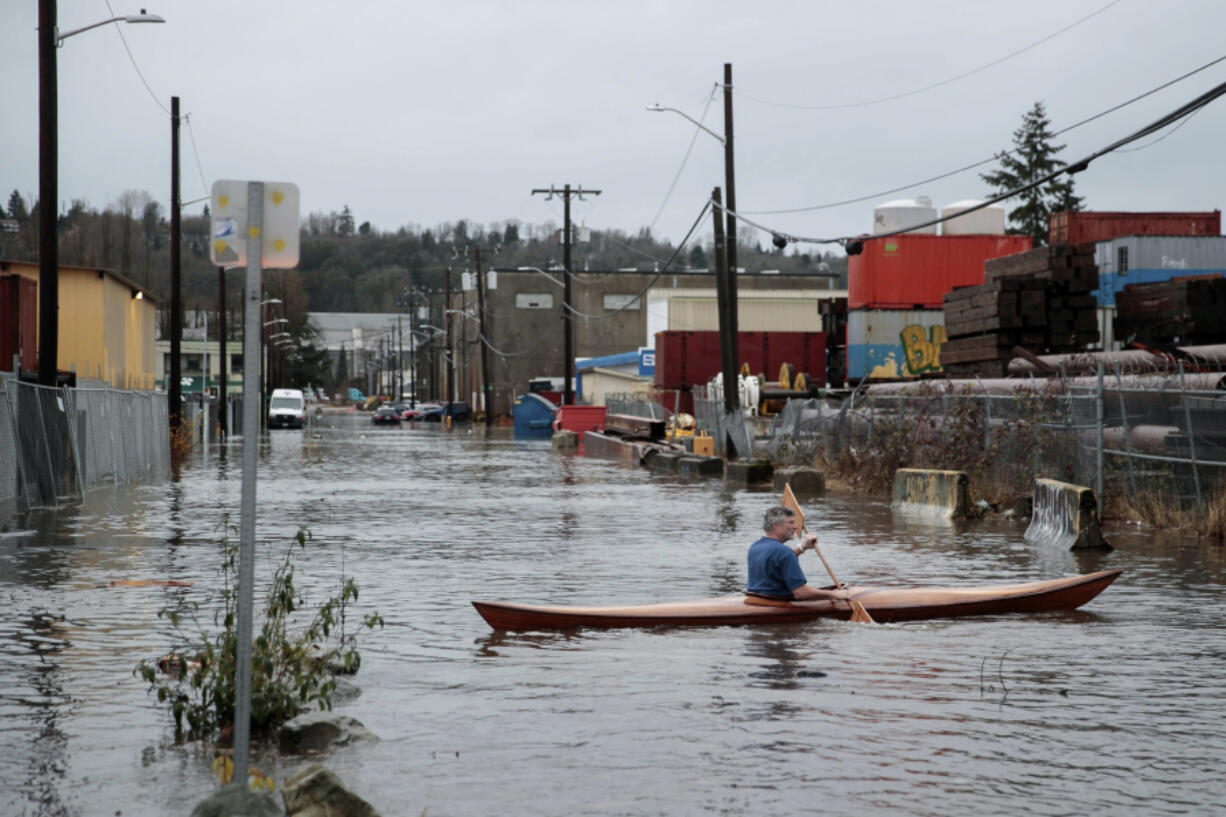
(58, 443)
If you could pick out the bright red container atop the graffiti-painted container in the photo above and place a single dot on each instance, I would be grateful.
(918, 272)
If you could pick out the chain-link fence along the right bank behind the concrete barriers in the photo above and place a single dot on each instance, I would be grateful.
(1126, 436)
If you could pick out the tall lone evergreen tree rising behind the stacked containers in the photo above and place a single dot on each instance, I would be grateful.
(1033, 158)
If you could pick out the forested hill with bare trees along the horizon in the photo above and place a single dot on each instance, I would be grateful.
(346, 267)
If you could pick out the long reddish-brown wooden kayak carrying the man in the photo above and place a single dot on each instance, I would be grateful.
(883, 604)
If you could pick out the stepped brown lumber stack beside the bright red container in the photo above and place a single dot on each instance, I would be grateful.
(1039, 300)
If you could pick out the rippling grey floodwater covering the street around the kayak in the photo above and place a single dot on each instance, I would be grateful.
(1111, 710)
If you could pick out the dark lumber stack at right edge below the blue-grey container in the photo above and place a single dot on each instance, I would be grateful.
(1189, 310)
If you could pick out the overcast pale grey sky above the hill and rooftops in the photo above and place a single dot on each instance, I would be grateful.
(432, 112)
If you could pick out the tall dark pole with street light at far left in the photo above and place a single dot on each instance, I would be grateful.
(50, 39)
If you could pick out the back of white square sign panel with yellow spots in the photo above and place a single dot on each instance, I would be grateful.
(231, 230)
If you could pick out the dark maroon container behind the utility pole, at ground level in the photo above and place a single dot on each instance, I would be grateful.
(687, 359)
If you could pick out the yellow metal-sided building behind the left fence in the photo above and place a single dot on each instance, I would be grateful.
(107, 324)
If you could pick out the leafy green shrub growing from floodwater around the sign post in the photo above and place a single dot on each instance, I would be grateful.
(291, 670)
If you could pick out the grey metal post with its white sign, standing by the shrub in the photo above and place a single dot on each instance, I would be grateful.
(256, 224)
